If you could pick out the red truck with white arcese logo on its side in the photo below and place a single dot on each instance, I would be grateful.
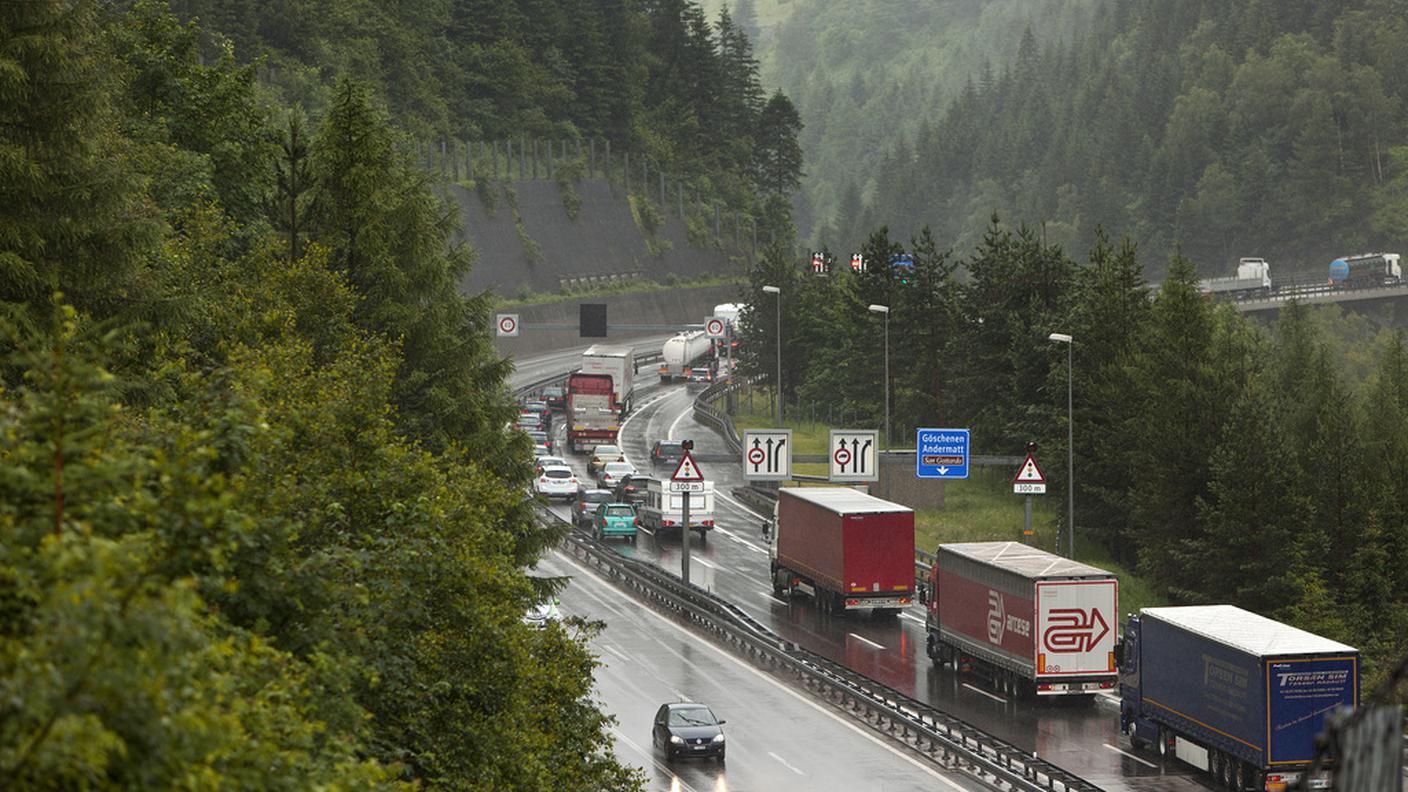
(1030, 621)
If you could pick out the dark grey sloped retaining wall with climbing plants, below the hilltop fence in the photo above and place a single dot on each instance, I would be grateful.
(602, 240)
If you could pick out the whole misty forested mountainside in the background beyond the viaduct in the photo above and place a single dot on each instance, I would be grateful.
(1214, 129)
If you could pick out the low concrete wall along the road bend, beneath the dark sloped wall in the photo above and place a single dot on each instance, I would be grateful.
(674, 307)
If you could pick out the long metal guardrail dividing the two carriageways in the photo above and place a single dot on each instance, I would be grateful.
(944, 739)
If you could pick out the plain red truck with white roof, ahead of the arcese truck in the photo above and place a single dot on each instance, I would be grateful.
(844, 547)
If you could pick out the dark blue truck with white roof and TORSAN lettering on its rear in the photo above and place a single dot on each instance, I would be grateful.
(1233, 693)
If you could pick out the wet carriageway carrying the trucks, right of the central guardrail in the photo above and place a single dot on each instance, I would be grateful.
(1082, 738)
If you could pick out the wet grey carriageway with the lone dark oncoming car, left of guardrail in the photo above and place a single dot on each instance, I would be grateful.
(778, 738)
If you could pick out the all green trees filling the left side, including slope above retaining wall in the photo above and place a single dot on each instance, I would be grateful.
(261, 516)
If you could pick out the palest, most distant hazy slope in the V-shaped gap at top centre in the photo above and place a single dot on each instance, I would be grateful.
(868, 74)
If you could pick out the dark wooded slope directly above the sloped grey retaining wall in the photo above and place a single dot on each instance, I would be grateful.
(658, 78)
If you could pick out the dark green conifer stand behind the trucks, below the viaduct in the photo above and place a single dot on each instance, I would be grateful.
(1227, 462)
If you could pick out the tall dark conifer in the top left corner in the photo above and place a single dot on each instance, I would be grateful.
(73, 212)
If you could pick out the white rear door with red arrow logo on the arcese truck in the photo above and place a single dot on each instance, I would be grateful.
(1076, 624)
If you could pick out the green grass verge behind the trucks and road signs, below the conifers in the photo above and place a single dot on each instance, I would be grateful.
(981, 508)
